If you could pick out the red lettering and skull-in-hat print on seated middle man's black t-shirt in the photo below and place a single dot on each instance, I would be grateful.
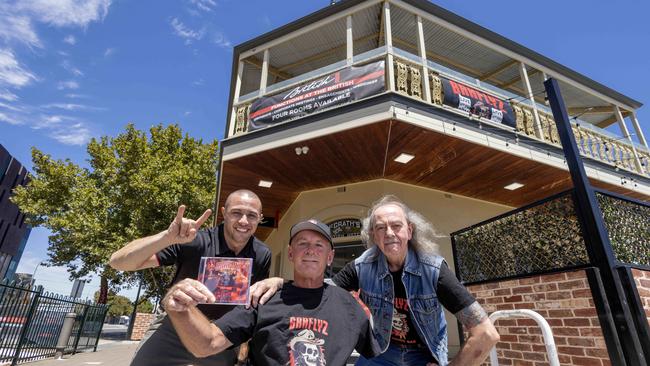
(305, 349)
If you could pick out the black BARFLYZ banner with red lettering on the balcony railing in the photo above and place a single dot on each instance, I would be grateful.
(477, 102)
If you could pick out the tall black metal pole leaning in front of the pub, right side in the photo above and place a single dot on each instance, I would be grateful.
(599, 247)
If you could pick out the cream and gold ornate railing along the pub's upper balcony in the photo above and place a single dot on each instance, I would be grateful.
(408, 73)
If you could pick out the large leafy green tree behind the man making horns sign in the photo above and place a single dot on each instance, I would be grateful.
(131, 188)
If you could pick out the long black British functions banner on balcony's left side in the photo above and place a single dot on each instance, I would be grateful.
(341, 87)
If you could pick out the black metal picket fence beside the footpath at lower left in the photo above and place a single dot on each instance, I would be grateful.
(31, 321)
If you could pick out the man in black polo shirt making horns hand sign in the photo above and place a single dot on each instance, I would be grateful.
(183, 244)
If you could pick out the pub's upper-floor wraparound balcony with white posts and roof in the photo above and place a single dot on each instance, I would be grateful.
(423, 48)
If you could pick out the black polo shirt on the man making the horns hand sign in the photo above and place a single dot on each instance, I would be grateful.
(212, 243)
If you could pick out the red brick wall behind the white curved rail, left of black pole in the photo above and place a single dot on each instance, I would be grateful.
(564, 300)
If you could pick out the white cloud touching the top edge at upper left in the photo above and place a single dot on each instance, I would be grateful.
(66, 12)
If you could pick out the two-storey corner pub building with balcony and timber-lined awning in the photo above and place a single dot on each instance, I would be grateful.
(367, 98)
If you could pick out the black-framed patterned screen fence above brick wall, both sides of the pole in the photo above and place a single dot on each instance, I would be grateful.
(547, 236)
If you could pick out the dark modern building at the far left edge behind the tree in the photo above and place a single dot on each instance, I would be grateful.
(13, 231)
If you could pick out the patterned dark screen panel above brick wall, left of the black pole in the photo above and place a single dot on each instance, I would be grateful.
(540, 238)
